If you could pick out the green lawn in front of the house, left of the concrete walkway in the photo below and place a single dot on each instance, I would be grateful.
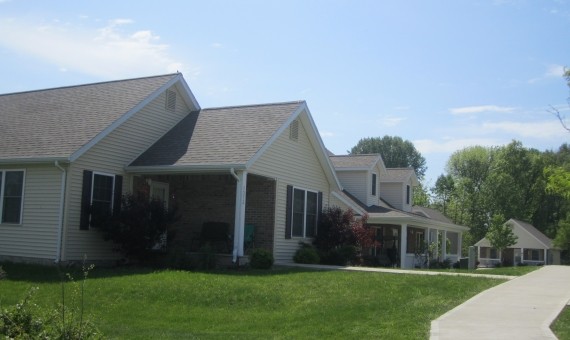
(280, 303)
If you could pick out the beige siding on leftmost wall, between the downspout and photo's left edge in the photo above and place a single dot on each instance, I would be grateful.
(36, 237)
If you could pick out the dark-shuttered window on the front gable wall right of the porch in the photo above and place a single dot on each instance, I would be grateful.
(303, 207)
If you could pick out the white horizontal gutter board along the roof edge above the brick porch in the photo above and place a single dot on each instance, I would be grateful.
(183, 169)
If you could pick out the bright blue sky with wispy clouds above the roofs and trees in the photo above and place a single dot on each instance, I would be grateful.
(443, 74)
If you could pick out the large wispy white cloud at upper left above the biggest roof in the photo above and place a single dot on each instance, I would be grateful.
(106, 52)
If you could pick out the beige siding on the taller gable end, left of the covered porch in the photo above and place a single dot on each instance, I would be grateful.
(111, 155)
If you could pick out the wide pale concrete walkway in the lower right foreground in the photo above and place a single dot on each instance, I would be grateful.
(522, 308)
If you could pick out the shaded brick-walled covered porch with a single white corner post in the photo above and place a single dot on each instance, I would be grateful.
(229, 212)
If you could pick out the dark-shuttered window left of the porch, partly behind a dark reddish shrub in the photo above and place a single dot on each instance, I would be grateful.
(100, 198)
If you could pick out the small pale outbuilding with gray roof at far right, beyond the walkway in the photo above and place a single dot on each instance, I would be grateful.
(532, 248)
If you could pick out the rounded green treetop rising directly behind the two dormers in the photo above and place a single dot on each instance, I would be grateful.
(396, 153)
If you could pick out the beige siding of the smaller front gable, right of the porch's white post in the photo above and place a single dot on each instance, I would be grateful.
(291, 163)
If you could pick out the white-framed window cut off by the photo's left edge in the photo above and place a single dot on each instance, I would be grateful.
(11, 196)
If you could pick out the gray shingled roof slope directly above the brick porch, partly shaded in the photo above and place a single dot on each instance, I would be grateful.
(216, 136)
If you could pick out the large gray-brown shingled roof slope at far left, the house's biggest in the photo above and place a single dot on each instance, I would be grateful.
(57, 122)
